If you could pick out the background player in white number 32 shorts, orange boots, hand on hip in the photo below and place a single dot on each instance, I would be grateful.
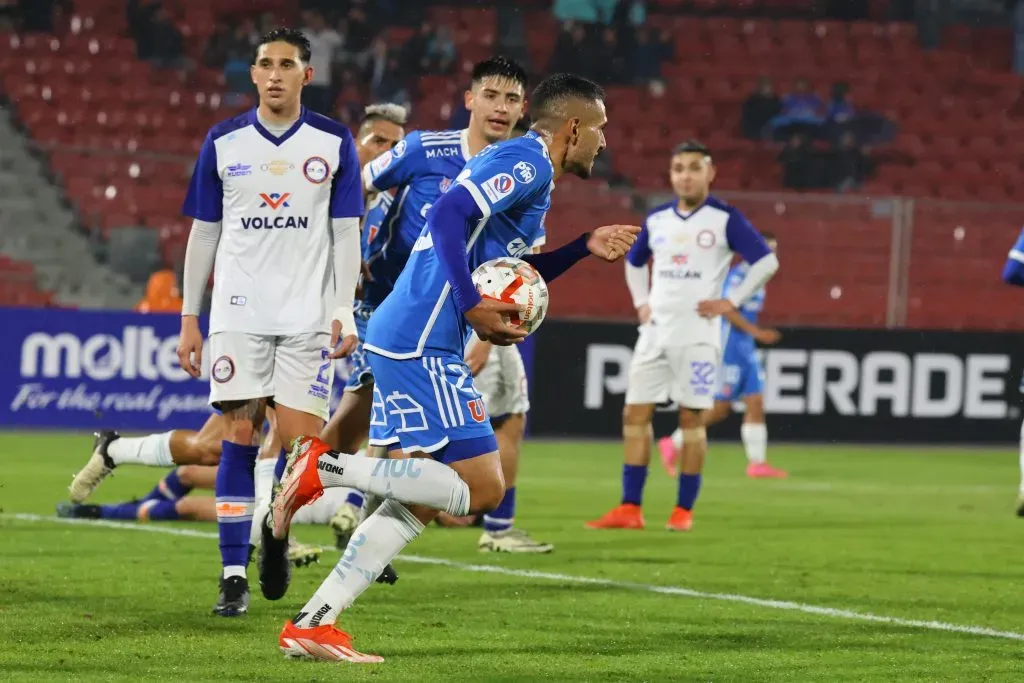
(692, 242)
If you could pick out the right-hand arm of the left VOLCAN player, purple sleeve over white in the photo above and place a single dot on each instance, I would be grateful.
(347, 211)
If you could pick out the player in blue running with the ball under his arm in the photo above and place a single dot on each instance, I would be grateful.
(426, 409)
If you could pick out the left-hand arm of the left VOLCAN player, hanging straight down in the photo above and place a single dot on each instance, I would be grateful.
(205, 204)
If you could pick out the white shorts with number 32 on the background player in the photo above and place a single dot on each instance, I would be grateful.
(685, 374)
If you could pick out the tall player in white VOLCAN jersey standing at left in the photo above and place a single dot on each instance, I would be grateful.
(276, 202)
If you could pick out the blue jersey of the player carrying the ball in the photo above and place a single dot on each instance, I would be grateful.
(511, 185)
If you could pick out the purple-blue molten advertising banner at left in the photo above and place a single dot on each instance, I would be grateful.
(89, 370)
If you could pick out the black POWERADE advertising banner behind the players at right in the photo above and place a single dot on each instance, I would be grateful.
(821, 386)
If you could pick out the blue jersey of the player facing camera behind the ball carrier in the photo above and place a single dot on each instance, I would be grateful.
(419, 169)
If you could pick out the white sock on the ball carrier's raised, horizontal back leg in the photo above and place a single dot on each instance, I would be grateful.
(413, 481)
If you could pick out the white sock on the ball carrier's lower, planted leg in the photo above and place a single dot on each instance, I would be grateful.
(375, 543)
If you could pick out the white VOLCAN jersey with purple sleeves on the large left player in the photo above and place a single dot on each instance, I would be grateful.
(275, 198)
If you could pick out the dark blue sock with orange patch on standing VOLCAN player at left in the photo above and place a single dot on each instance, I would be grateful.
(236, 490)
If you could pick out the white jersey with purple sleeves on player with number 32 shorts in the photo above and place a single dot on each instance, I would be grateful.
(691, 255)
